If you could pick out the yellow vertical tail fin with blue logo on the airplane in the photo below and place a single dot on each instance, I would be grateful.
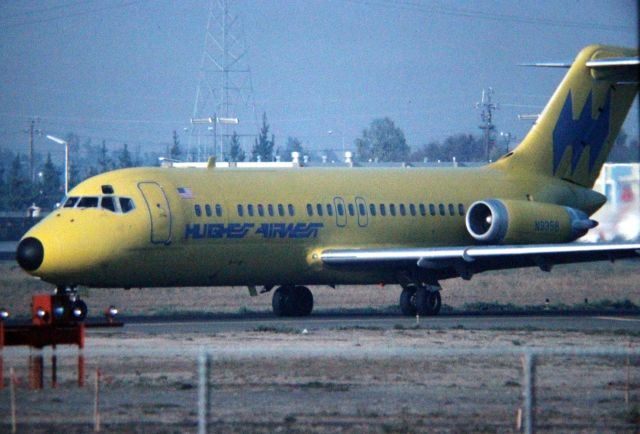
(575, 132)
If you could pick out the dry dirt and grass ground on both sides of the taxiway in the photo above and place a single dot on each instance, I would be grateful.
(295, 392)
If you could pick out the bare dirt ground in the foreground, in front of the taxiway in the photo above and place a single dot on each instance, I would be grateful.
(340, 391)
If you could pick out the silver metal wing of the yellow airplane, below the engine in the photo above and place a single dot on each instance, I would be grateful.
(468, 260)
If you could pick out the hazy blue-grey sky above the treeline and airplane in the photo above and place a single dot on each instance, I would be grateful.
(127, 71)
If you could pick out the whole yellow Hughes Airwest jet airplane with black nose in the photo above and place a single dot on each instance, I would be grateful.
(171, 227)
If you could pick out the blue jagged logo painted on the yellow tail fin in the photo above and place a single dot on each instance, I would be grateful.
(580, 133)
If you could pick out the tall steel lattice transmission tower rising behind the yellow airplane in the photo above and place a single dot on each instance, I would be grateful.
(224, 97)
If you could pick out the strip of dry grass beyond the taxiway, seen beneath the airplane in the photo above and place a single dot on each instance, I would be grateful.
(568, 285)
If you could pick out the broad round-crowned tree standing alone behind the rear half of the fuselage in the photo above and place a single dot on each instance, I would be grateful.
(382, 141)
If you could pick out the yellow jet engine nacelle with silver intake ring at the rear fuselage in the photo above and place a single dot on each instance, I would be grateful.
(497, 221)
